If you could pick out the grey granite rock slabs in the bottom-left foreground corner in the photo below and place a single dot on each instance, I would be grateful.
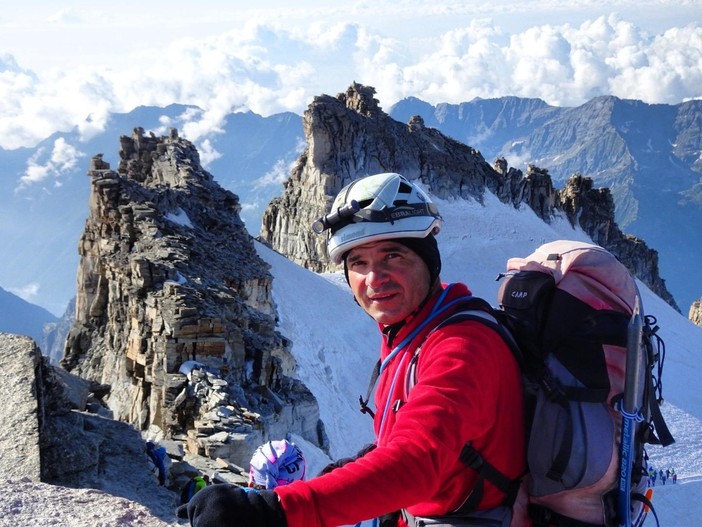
(52, 446)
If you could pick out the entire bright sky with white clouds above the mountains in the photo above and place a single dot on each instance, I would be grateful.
(70, 64)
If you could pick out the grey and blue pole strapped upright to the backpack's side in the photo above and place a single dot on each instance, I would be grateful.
(630, 412)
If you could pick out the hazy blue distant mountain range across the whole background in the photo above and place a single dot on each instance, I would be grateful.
(649, 155)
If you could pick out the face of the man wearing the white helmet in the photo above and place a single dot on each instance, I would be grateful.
(388, 280)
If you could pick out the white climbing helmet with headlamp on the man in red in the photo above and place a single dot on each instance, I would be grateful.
(374, 208)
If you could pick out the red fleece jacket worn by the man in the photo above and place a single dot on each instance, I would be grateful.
(468, 389)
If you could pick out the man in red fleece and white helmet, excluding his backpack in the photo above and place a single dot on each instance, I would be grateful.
(463, 387)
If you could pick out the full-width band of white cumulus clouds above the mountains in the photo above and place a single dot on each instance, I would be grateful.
(267, 69)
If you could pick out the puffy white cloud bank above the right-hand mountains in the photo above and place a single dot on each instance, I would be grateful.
(563, 65)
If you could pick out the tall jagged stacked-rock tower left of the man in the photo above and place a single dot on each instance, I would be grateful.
(174, 314)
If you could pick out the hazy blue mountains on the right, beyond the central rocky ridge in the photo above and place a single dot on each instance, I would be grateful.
(649, 155)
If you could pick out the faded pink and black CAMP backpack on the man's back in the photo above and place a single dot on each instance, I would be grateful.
(592, 363)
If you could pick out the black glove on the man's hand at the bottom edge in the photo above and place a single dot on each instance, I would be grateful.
(225, 505)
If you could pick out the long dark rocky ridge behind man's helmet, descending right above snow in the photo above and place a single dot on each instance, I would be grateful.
(349, 136)
